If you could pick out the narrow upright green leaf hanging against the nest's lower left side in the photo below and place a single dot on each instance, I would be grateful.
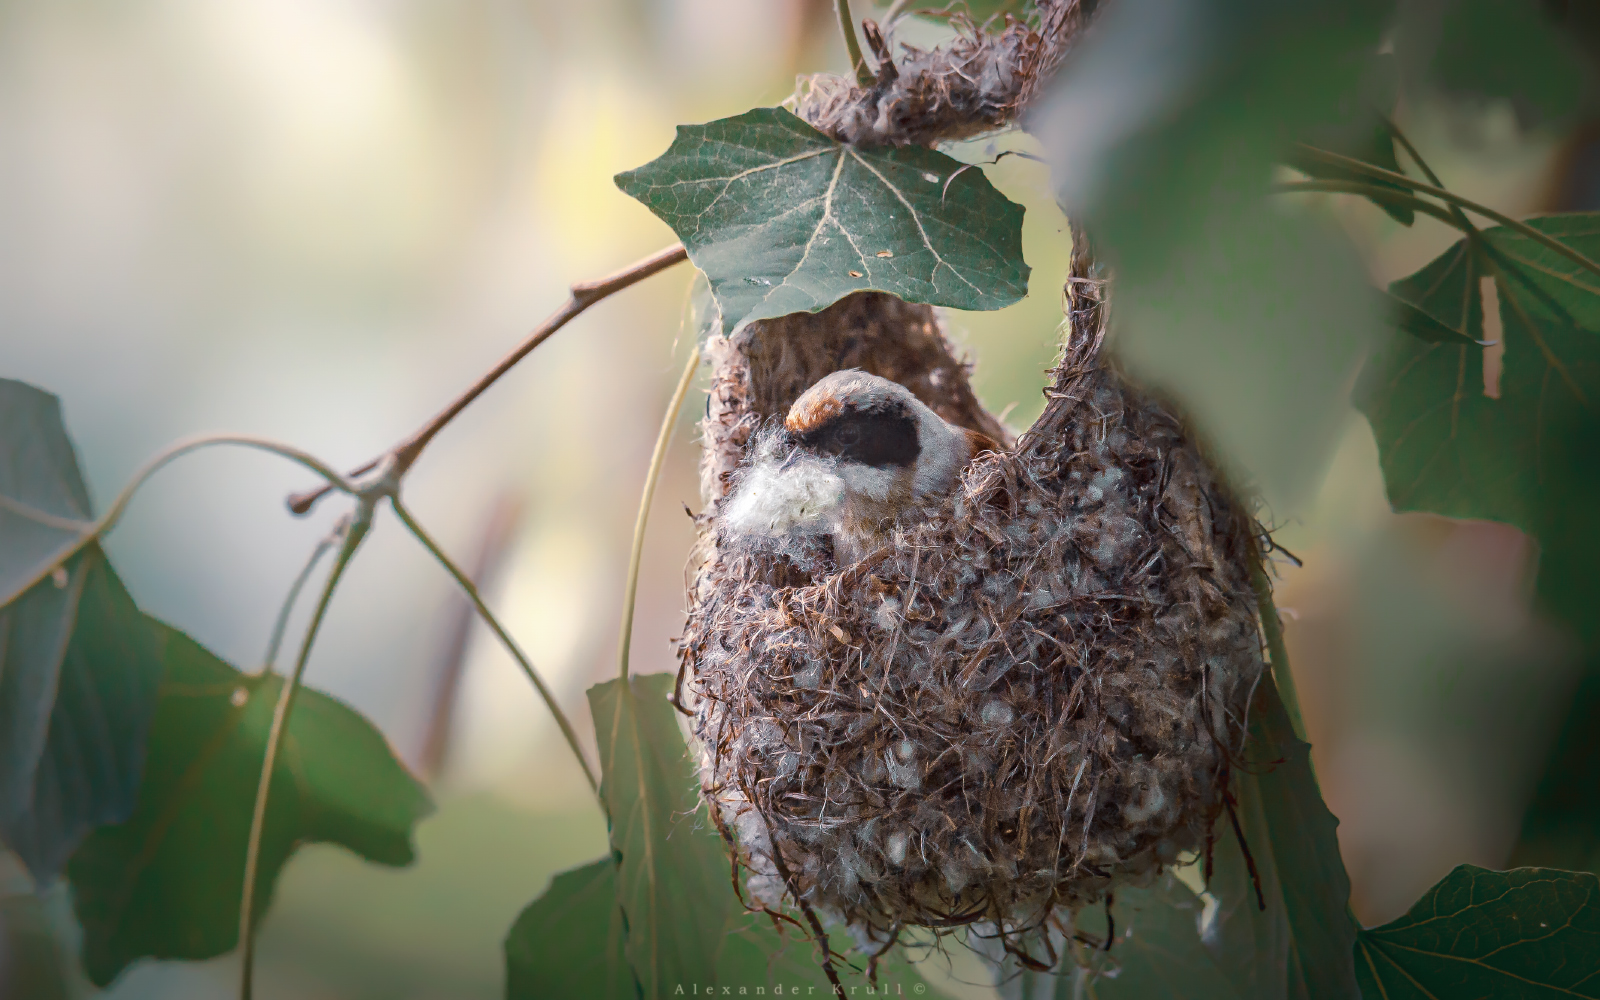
(673, 881)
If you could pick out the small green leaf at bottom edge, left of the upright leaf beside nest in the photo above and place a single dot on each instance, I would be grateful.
(569, 943)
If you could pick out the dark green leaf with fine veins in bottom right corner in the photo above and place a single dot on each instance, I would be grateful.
(1524, 934)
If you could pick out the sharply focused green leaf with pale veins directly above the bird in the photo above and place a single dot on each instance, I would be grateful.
(785, 220)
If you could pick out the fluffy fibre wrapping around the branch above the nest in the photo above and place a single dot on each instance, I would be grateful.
(980, 82)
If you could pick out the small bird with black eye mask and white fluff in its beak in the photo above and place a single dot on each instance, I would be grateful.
(854, 457)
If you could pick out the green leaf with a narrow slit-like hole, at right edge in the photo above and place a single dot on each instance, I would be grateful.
(1450, 449)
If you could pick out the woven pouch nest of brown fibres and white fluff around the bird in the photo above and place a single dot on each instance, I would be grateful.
(1030, 698)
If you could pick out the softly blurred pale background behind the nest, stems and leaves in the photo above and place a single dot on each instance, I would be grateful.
(318, 220)
